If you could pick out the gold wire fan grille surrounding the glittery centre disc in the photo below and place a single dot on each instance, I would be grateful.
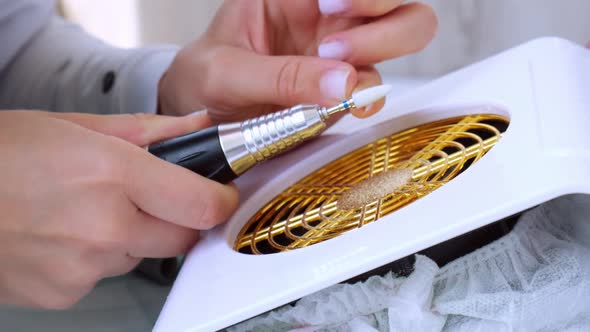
(306, 212)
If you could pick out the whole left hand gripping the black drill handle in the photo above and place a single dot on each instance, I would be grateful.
(81, 201)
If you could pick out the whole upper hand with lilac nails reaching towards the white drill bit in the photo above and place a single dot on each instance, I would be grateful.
(258, 56)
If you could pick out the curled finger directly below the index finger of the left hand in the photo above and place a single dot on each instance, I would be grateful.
(150, 237)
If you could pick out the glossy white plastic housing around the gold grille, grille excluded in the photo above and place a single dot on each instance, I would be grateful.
(542, 86)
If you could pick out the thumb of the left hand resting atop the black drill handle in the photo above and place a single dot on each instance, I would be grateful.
(139, 129)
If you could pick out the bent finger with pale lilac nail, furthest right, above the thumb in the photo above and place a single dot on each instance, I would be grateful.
(406, 30)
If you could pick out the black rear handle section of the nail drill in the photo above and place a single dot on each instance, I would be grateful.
(199, 151)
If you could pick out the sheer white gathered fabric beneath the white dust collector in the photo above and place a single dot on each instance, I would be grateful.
(536, 278)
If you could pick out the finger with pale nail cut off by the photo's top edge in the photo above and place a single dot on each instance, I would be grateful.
(358, 8)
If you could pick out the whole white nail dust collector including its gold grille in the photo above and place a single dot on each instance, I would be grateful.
(482, 144)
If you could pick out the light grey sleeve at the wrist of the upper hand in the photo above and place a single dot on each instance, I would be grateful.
(63, 69)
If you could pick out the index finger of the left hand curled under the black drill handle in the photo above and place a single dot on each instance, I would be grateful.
(175, 194)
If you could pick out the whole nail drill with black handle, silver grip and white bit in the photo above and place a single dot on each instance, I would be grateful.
(224, 152)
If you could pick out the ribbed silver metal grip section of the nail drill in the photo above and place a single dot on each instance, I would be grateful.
(256, 140)
